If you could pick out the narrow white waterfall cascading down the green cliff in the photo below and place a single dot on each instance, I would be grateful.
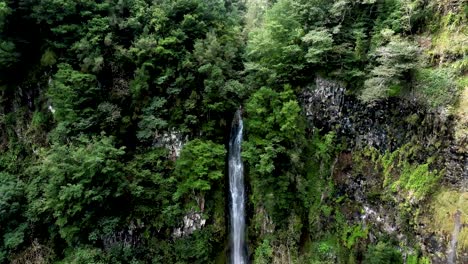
(236, 187)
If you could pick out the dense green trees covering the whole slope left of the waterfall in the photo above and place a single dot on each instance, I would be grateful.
(132, 69)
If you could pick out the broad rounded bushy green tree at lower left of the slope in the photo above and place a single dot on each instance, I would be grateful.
(75, 183)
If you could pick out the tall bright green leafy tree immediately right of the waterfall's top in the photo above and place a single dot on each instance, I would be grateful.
(275, 130)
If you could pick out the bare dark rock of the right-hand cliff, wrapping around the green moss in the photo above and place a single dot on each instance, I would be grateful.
(386, 126)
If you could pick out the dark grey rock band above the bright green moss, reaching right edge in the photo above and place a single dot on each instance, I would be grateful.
(387, 125)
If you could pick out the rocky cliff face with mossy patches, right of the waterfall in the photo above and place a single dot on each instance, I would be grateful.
(414, 134)
